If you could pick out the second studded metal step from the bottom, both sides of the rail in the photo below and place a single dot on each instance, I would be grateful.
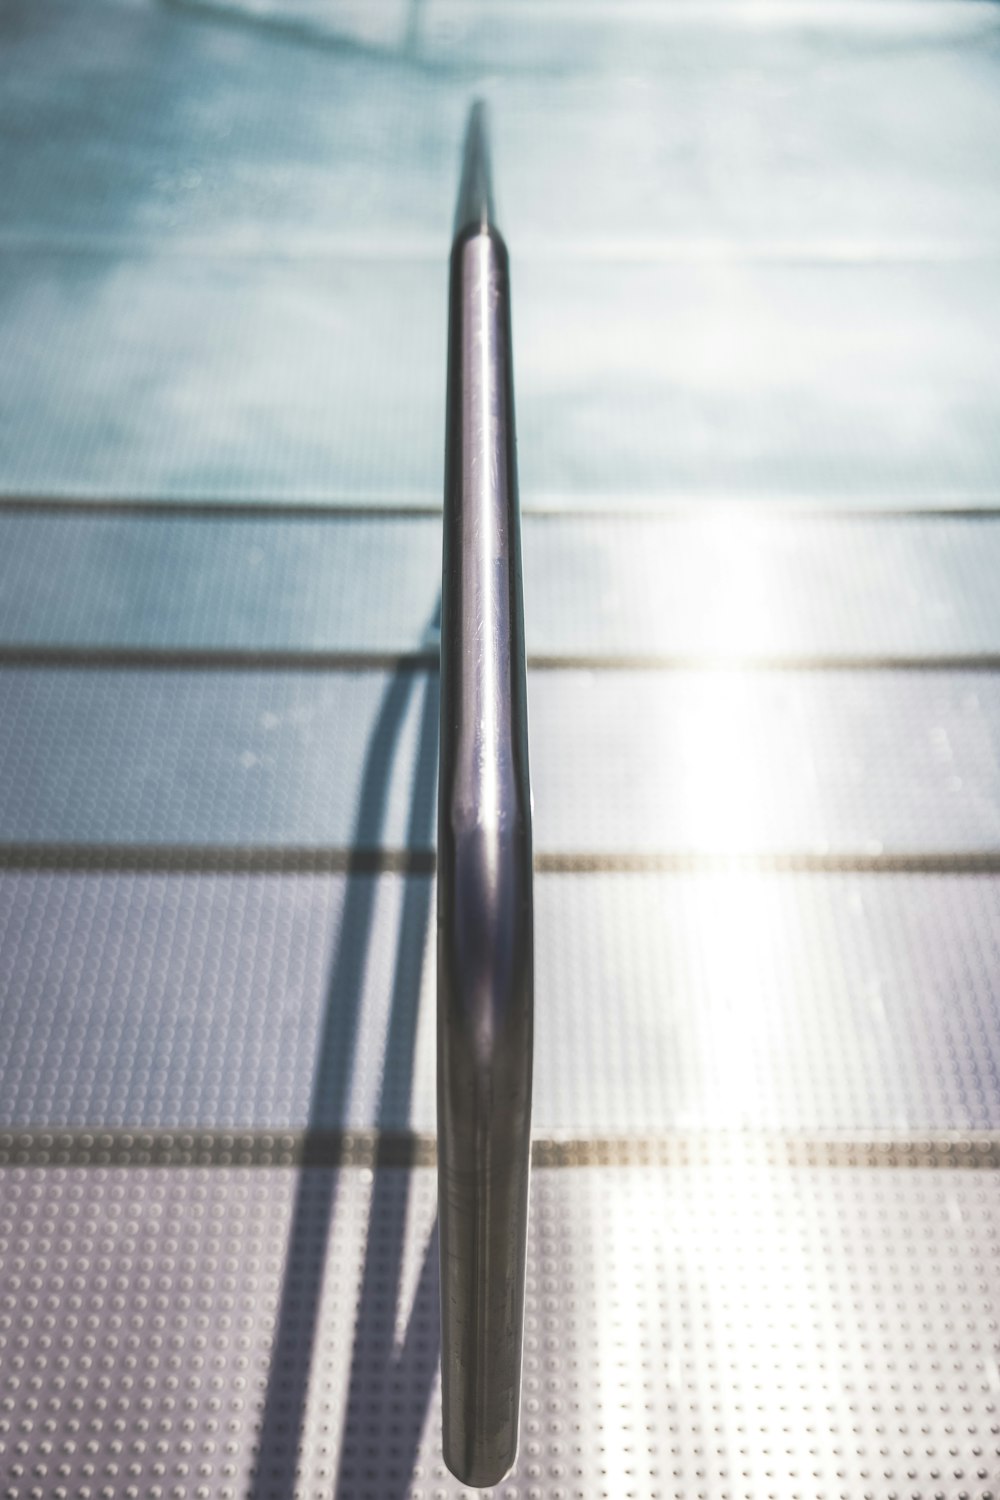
(771, 1003)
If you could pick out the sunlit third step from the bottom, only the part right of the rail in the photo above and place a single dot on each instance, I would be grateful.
(726, 763)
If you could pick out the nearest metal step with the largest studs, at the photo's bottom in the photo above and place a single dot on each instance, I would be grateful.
(726, 1331)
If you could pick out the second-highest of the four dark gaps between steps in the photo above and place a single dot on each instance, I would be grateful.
(239, 659)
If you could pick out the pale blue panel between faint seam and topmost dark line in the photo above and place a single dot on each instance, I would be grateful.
(196, 379)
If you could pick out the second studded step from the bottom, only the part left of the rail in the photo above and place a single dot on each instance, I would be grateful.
(223, 1001)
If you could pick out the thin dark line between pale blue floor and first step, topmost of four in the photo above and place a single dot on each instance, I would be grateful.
(678, 508)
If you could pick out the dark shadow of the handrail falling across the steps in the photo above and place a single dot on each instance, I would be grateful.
(389, 1388)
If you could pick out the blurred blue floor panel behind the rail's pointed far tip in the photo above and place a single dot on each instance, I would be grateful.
(250, 128)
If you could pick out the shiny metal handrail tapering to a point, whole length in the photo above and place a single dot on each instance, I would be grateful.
(485, 895)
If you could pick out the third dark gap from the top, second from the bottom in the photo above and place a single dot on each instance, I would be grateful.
(319, 860)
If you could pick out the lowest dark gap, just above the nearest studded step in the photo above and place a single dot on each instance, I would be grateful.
(373, 1148)
